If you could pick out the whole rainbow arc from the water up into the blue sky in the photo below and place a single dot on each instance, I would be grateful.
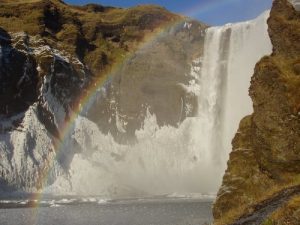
(86, 100)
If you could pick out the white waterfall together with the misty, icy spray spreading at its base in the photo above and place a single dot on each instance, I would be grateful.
(190, 158)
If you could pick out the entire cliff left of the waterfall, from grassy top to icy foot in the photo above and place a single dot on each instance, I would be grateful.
(51, 52)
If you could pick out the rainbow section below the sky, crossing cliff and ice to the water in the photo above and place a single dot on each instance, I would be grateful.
(87, 99)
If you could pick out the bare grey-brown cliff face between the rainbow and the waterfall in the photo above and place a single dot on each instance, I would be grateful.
(152, 79)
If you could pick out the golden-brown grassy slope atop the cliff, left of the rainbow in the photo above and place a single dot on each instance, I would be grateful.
(99, 36)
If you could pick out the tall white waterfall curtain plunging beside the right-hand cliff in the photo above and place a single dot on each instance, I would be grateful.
(230, 55)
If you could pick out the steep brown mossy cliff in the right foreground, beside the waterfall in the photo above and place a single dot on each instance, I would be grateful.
(264, 165)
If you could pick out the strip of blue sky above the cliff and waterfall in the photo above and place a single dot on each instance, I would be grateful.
(214, 12)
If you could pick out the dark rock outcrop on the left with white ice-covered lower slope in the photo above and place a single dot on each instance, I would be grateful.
(38, 85)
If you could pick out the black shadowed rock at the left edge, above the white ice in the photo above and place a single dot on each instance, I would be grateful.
(18, 76)
